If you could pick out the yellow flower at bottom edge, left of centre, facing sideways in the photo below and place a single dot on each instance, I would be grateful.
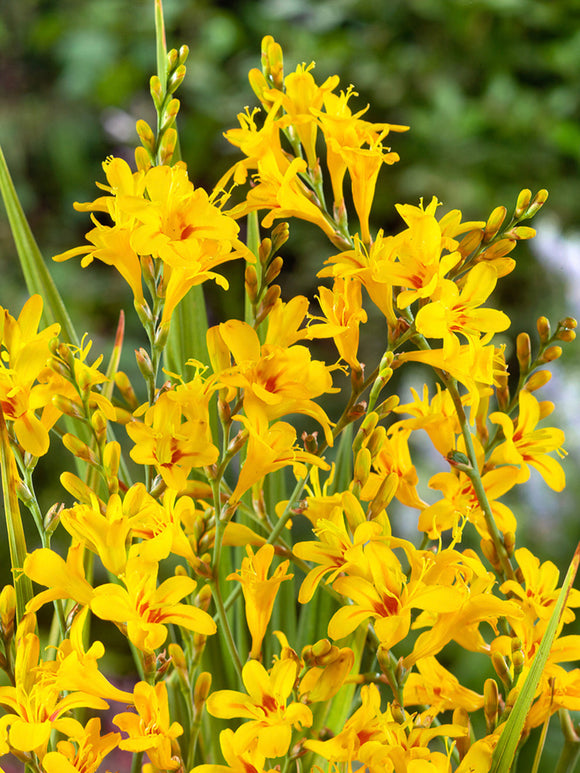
(150, 729)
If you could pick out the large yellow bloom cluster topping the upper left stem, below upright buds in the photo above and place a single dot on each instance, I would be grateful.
(159, 213)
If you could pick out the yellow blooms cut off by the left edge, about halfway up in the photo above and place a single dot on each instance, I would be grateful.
(24, 355)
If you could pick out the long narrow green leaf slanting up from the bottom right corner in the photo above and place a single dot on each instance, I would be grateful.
(505, 750)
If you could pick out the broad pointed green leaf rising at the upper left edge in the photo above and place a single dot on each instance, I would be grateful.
(36, 274)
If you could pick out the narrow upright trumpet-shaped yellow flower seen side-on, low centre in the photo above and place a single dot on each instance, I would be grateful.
(260, 591)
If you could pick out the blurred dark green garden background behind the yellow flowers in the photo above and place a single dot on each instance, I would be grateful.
(490, 89)
